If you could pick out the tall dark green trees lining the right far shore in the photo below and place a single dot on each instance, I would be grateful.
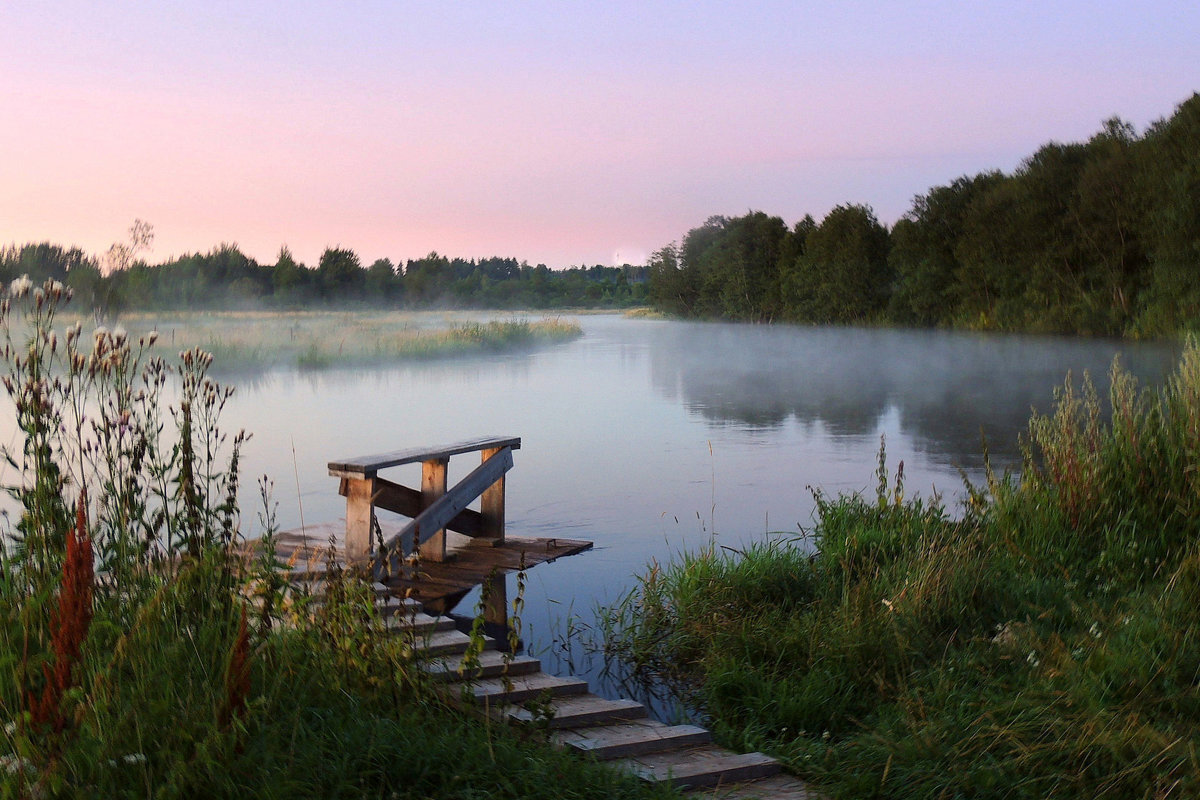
(1095, 238)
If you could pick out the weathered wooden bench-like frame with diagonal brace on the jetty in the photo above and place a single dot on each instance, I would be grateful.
(434, 508)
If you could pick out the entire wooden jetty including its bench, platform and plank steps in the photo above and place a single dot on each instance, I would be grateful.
(425, 567)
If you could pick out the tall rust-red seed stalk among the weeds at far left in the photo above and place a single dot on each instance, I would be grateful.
(69, 624)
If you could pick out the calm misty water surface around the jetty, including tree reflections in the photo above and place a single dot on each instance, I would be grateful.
(651, 438)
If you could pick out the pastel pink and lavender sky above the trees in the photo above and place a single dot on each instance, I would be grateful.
(556, 133)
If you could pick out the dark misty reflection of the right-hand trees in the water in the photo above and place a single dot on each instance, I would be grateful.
(949, 388)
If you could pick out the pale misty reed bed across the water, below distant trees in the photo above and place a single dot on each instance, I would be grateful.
(322, 340)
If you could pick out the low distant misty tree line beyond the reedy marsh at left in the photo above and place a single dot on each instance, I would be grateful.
(229, 279)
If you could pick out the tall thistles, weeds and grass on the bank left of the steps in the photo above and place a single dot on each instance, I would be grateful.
(143, 654)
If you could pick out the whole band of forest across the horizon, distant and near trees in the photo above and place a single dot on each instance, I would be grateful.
(1099, 238)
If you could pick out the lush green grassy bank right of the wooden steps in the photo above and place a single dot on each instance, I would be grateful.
(1043, 643)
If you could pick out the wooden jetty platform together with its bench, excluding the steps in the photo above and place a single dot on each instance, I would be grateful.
(421, 560)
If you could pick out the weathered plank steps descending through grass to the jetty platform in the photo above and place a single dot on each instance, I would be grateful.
(620, 732)
